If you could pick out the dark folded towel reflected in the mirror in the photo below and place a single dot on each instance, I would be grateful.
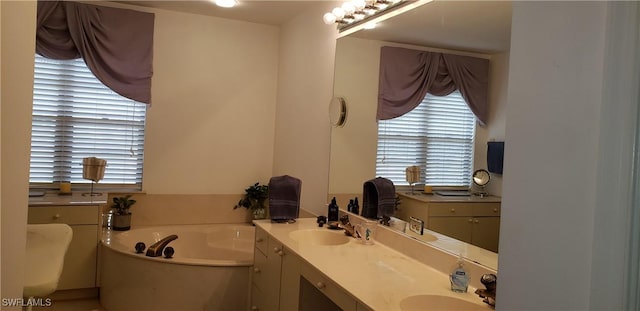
(379, 198)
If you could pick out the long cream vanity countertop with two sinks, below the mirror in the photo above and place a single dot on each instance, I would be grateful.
(378, 276)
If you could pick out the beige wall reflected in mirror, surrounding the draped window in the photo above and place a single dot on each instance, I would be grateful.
(354, 146)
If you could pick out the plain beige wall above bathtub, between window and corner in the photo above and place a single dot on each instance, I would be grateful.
(210, 129)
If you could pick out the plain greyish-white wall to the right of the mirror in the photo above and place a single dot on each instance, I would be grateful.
(553, 128)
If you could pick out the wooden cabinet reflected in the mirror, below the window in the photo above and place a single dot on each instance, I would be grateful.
(474, 222)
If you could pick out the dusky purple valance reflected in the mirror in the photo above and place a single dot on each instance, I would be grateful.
(406, 76)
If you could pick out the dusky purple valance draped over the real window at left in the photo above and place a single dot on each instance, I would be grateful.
(116, 44)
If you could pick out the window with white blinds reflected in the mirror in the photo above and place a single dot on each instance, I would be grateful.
(437, 136)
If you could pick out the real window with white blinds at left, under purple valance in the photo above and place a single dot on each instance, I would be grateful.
(76, 116)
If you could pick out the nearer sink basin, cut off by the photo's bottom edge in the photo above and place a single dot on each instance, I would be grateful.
(437, 302)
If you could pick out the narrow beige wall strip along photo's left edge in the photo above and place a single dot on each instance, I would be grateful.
(18, 44)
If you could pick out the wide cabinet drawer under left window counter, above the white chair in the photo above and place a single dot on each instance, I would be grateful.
(71, 215)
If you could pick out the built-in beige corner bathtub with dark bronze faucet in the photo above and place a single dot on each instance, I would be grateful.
(210, 269)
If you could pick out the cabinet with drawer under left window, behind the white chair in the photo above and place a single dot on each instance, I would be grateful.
(80, 263)
